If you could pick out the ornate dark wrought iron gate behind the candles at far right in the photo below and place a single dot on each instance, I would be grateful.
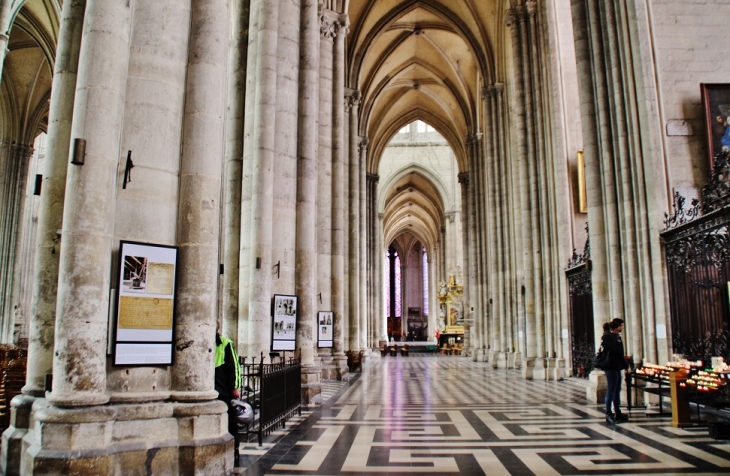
(697, 254)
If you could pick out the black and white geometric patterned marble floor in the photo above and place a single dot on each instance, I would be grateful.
(448, 416)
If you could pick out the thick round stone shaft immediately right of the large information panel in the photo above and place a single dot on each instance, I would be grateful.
(199, 211)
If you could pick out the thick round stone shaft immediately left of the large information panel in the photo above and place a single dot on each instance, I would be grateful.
(79, 366)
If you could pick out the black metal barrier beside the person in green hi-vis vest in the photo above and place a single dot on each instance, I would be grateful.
(273, 390)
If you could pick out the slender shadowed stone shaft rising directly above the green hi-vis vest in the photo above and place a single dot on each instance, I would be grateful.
(237, 66)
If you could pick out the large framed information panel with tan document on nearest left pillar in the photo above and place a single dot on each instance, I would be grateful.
(145, 313)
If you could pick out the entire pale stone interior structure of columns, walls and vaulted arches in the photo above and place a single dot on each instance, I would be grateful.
(288, 148)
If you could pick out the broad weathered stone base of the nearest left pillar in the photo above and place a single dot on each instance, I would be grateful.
(164, 438)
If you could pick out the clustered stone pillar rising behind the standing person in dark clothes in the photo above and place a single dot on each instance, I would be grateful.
(618, 188)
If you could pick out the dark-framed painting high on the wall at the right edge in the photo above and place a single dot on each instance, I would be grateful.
(716, 101)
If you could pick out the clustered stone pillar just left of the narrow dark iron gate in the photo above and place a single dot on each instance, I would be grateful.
(539, 295)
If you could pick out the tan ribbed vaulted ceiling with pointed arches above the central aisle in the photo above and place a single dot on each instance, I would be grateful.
(427, 60)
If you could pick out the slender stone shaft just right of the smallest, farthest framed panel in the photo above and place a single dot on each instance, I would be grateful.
(339, 292)
